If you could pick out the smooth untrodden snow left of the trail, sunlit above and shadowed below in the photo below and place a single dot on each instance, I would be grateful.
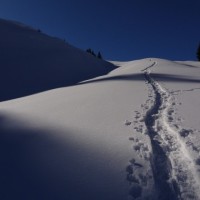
(70, 143)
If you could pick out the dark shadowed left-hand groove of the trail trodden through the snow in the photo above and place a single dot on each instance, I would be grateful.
(160, 162)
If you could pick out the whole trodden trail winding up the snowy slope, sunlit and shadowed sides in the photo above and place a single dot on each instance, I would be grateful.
(173, 169)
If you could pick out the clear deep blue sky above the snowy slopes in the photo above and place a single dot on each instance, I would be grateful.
(120, 29)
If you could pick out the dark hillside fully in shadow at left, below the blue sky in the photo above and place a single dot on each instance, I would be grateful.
(32, 62)
